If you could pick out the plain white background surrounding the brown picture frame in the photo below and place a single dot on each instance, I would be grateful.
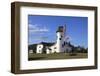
(5, 50)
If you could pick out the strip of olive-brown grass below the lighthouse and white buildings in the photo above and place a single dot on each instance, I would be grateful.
(56, 56)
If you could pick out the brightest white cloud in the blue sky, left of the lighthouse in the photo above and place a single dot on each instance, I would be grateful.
(36, 28)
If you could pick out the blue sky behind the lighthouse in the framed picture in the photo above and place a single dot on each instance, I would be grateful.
(43, 28)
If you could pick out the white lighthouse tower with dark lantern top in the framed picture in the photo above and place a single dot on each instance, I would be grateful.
(60, 38)
